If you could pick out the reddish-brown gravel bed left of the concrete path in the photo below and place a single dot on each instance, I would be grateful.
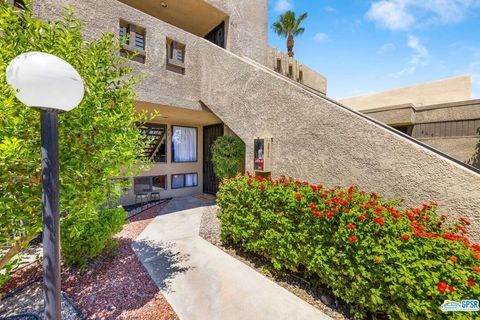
(116, 286)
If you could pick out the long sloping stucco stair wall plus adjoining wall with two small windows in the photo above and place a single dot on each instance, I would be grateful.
(313, 138)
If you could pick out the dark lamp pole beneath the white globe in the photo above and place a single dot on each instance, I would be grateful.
(51, 215)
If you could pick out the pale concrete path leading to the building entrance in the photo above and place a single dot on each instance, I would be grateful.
(200, 281)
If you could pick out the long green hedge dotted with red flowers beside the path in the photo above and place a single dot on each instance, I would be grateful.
(382, 259)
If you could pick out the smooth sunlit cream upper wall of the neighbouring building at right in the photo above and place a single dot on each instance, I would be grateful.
(436, 92)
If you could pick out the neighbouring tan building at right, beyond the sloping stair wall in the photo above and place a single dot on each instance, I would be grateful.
(441, 114)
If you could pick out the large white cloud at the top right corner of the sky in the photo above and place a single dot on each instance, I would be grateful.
(405, 14)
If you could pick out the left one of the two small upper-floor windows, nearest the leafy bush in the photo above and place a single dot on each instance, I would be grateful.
(133, 41)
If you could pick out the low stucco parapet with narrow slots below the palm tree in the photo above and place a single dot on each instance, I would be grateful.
(311, 78)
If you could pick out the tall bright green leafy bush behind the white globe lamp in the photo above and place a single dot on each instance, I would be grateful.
(97, 139)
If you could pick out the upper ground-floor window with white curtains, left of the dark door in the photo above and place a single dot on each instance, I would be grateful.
(184, 144)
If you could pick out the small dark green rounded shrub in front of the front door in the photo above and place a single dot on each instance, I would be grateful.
(228, 154)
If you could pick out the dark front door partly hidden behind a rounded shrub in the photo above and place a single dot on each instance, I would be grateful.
(210, 134)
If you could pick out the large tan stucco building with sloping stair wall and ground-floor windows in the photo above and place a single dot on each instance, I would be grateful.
(211, 72)
